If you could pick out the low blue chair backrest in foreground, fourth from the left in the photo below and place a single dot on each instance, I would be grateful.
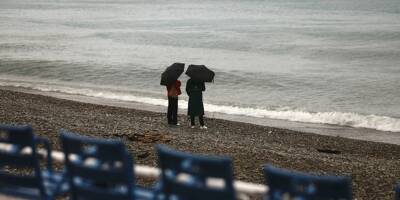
(283, 183)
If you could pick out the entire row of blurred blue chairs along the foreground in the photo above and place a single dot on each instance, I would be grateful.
(102, 169)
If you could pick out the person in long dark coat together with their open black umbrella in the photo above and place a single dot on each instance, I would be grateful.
(194, 88)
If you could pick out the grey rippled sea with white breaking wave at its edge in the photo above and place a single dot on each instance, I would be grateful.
(315, 61)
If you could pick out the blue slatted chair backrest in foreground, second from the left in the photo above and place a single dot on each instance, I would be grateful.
(97, 168)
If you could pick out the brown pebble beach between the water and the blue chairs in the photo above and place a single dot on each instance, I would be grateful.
(373, 166)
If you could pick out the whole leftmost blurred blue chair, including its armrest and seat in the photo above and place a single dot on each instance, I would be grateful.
(20, 173)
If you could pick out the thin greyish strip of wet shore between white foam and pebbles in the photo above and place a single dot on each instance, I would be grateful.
(364, 134)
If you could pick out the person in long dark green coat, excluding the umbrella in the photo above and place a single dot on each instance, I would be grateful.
(195, 106)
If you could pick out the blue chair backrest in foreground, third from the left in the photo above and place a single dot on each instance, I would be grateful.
(196, 171)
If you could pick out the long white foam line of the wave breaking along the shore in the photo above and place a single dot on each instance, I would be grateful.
(382, 123)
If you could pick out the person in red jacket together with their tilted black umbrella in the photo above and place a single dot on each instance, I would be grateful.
(169, 78)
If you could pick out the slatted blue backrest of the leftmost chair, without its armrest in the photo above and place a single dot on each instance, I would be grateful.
(16, 139)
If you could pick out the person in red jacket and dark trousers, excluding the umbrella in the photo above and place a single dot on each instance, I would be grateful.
(173, 90)
